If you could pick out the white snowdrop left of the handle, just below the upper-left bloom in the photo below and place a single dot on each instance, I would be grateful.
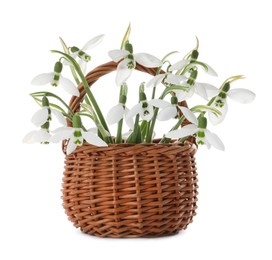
(56, 79)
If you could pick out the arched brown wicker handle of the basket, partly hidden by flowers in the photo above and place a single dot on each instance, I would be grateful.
(100, 71)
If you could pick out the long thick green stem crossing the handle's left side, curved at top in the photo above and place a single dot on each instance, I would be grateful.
(88, 91)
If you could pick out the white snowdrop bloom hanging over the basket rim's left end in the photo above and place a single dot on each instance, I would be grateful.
(76, 135)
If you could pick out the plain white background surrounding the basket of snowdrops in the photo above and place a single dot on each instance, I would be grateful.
(234, 214)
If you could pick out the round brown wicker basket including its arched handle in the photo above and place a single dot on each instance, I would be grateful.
(125, 190)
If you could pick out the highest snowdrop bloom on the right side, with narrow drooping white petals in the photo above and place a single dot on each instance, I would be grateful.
(191, 63)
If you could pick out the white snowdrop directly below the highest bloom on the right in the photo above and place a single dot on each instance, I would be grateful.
(204, 90)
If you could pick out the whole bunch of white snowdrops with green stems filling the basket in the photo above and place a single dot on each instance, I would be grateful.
(180, 81)
